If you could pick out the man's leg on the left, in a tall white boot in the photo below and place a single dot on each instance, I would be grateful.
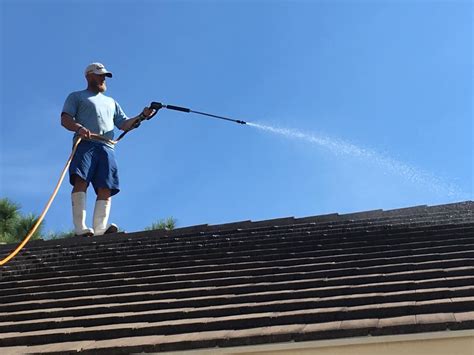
(78, 198)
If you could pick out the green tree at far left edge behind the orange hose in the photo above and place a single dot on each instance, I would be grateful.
(13, 225)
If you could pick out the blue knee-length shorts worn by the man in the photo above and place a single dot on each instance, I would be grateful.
(95, 163)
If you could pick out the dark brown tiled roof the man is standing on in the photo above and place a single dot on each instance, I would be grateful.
(292, 279)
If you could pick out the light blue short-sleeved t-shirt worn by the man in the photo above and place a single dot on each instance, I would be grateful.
(96, 112)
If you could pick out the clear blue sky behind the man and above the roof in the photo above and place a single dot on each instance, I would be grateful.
(391, 77)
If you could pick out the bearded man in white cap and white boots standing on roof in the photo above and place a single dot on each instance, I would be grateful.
(89, 113)
